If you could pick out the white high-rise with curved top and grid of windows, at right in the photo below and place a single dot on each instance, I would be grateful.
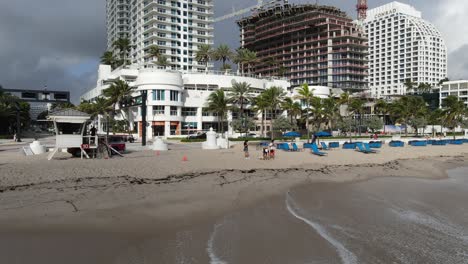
(403, 46)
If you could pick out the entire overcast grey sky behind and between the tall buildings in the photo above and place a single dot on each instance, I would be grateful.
(57, 43)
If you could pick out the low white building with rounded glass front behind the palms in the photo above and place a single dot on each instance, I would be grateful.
(176, 99)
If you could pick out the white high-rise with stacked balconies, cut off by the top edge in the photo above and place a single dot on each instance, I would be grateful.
(176, 27)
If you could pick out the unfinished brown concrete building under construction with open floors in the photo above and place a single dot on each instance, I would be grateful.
(314, 44)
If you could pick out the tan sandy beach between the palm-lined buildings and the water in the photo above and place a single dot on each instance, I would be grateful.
(106, 206)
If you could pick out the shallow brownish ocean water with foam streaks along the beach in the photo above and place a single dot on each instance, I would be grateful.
(383, 220)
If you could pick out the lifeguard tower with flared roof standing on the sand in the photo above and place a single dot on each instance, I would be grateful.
(69, 127)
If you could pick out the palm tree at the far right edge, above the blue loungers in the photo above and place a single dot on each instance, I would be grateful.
(454, 112)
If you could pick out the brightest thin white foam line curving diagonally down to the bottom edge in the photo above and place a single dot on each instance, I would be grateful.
(346, 256)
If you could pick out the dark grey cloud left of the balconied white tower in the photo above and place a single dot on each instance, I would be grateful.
(41, 42)
